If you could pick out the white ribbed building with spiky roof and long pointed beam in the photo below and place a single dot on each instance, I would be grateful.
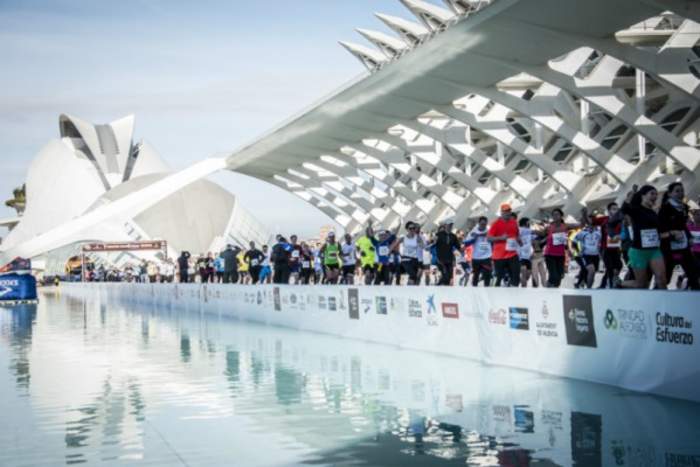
(471, 103)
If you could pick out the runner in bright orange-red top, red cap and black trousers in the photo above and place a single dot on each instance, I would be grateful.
(504, 235)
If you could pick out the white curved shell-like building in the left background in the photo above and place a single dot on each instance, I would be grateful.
(92, 166)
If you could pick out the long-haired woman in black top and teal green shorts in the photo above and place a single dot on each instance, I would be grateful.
(645, 251)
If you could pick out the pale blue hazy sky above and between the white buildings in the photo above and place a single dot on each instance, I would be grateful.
(202, 78)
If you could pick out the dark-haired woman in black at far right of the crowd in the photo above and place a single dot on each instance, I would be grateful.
(675, 236)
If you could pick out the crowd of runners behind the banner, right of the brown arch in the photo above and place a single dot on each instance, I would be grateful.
(636, 245)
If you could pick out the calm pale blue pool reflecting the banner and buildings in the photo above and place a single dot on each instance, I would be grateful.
(99, 383)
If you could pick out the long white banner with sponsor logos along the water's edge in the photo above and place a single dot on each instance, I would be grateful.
(638, 340)
